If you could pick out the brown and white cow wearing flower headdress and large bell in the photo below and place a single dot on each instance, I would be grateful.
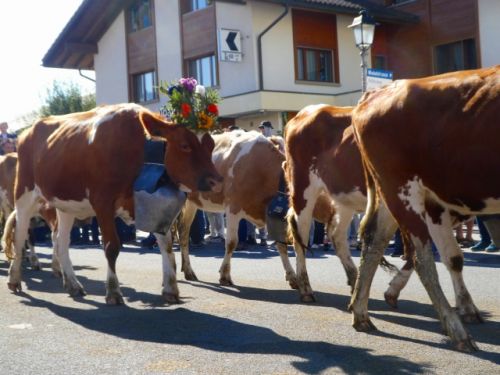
(84, 164)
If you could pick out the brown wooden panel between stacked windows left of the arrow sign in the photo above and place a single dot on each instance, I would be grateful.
(199, 36)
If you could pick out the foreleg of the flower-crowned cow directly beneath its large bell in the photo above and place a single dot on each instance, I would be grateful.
(170, 291)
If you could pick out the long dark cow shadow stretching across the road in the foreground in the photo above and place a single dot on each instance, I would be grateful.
(180, 326)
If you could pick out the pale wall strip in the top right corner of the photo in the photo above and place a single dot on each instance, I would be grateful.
(489, 32)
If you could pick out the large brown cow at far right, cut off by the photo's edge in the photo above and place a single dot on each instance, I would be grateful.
(426, 144)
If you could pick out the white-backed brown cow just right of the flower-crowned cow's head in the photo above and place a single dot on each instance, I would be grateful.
(251, 166)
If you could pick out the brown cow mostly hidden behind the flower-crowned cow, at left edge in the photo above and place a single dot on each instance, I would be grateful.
(8, 165)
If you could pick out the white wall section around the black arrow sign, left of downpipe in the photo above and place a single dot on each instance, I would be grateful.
(238, 77)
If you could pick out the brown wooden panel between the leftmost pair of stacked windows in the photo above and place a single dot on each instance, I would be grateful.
(141, 51)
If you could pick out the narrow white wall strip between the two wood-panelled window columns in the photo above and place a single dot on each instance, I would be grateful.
(168, 44)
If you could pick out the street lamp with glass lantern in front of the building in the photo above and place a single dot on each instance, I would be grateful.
(364, 30)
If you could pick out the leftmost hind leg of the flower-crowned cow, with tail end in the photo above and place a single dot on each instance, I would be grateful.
(17, 227)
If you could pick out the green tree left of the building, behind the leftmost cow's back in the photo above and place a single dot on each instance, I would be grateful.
(65, 98)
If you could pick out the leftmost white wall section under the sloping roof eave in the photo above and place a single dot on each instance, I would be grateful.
(110, 65)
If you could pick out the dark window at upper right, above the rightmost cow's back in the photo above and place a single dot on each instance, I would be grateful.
(455, 56)
